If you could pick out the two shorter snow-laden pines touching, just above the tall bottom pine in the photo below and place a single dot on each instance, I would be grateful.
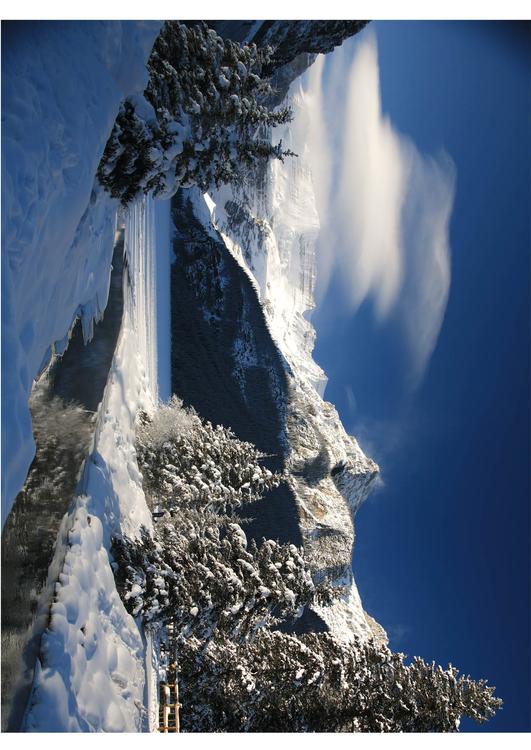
(197, 570)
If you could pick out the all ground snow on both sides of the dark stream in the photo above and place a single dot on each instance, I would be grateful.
(62, 86)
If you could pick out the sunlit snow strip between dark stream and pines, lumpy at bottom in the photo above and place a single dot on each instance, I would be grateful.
(92, 673)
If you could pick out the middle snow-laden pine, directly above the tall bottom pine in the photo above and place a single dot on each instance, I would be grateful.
(203, 576)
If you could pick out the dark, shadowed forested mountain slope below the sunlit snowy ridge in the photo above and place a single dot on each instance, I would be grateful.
(224, 361)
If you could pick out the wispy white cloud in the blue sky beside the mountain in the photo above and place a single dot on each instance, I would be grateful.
(384, 207)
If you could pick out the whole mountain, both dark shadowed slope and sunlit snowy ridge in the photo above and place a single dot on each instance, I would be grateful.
(243, 286)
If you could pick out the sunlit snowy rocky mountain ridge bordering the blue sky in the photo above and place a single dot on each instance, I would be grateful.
(271, 228)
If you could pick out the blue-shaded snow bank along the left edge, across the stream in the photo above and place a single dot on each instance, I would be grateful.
(62, 83)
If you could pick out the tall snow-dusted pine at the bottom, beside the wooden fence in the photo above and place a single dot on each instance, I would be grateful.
(278, 682)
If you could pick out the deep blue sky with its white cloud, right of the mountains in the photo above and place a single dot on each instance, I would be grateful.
(436, 387)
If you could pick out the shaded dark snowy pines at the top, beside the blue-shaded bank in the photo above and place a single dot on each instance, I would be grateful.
(206, 120)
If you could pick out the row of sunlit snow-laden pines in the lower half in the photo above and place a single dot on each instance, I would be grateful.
(226, 596)
